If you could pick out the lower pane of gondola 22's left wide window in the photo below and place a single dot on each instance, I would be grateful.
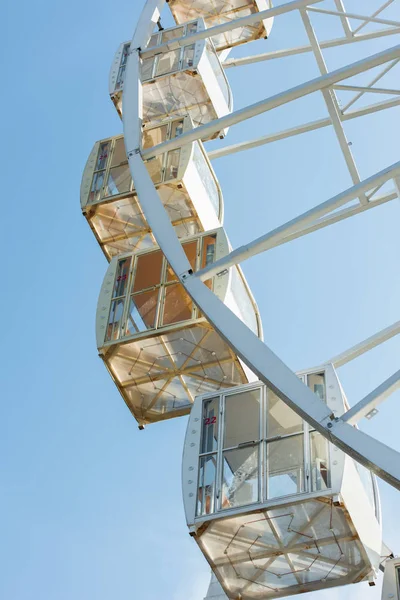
(240, 477)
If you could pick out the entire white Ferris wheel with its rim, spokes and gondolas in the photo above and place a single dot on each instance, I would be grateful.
(272, 491)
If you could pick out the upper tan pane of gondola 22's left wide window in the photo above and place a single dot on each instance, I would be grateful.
(242, 418)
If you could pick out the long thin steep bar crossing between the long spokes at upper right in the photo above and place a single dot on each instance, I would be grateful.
(332, 105)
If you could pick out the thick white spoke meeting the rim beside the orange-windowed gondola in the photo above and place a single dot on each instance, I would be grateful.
(265, 242)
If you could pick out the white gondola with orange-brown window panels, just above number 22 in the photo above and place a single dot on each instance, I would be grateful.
(160, 351)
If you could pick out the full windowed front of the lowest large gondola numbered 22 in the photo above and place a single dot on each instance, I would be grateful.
(260, 449)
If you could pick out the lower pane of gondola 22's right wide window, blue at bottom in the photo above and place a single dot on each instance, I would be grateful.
(286, 466)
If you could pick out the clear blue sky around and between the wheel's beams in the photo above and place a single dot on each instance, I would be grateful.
(90, 506)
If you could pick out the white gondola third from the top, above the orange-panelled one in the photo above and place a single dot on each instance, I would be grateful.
(185, 180)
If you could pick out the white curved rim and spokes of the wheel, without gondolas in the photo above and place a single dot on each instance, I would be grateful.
(382, 460)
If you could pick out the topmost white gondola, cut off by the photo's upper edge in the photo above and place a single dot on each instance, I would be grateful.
(215, 13)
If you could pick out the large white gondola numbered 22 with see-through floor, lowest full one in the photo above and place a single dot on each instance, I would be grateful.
(274, 507)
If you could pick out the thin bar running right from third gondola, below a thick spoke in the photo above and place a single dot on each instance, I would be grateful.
(311, 126)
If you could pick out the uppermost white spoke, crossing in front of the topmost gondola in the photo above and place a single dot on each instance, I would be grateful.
(227, 26)
